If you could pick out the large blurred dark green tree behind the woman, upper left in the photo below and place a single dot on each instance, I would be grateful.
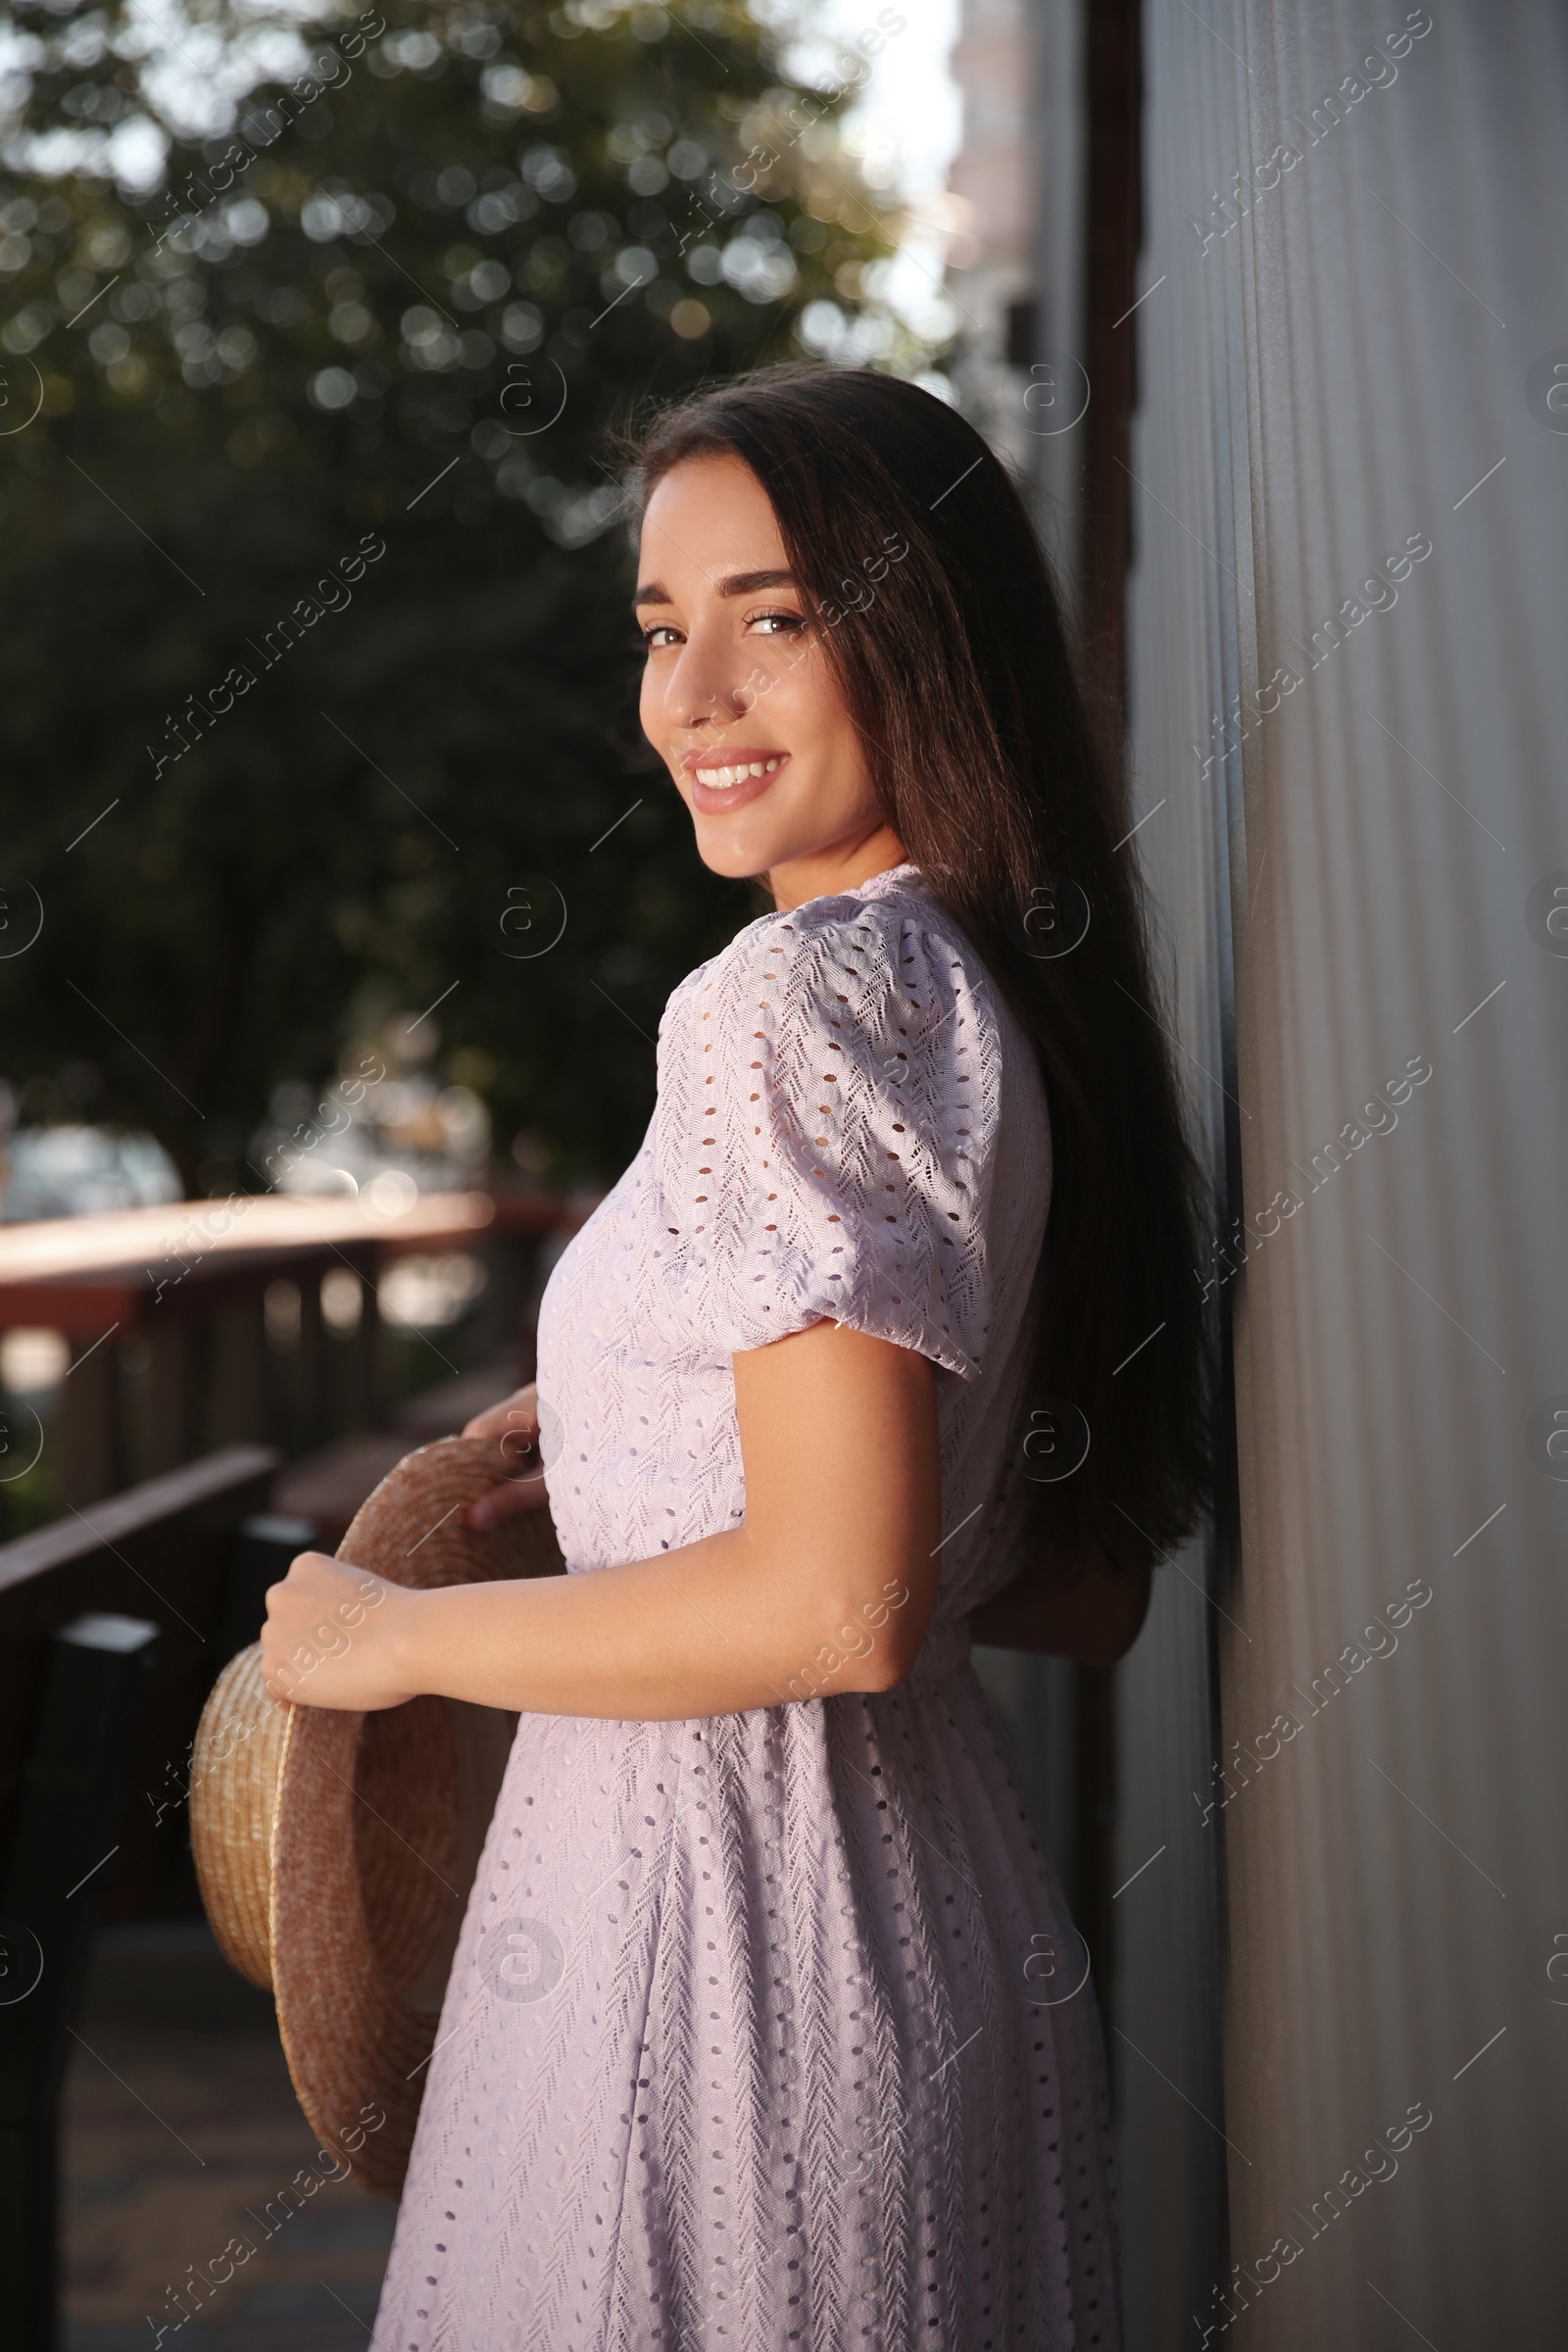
(316, 594)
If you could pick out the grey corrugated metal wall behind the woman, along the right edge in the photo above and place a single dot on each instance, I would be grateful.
(1353, 516)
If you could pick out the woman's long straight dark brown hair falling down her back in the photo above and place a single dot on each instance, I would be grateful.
(958, 671)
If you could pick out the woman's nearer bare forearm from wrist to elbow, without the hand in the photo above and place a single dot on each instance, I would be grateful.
(713, 1629)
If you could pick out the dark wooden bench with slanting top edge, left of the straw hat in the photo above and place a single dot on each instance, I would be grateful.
(112, 1631)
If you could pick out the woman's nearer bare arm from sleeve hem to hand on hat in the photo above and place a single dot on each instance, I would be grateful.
(826, 1586)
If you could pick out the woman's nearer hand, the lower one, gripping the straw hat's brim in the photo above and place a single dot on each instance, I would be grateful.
(330, 1636)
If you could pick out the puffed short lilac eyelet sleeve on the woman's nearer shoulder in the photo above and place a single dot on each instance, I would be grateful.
(826, 1125)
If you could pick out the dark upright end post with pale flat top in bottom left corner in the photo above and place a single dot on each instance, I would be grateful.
(65, 1840)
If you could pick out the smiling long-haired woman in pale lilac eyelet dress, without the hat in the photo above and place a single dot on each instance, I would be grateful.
(758, 2029)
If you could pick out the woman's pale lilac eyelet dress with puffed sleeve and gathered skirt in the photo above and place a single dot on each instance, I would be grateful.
(770, 2031)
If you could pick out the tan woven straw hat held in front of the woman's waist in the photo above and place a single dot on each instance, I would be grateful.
(337, 1850)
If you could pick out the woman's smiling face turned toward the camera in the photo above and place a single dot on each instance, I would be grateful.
(739, 697)
